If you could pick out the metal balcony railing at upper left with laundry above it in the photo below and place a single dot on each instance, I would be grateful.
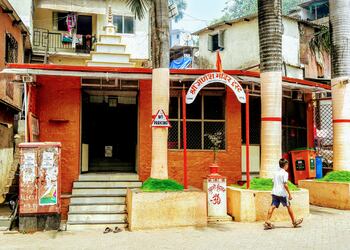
(45, 40)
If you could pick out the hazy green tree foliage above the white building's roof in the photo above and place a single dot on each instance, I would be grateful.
(238, 8)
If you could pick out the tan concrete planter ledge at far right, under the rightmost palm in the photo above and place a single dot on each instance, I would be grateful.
(328, 194)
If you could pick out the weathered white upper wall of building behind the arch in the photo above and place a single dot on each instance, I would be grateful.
(242, 46)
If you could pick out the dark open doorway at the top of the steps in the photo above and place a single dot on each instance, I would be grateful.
(109, 131)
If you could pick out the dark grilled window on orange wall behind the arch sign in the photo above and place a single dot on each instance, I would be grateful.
(206, 115)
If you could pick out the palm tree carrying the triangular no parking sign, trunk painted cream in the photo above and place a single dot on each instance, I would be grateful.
(159, 16)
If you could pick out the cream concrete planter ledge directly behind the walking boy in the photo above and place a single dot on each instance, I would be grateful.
(252, 205)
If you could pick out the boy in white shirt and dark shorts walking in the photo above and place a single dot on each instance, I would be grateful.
(281, 194)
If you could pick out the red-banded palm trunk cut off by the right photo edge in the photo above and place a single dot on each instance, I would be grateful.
(340, 35)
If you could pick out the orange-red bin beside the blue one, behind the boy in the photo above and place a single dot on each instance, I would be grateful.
(304, 164)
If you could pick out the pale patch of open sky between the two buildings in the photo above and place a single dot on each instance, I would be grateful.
(199, 14)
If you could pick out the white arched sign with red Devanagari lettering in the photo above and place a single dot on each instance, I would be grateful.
(214, 77)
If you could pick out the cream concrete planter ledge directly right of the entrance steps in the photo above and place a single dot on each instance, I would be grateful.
(155, 210)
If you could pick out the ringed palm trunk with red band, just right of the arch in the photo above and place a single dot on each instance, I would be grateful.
(270, 34)
